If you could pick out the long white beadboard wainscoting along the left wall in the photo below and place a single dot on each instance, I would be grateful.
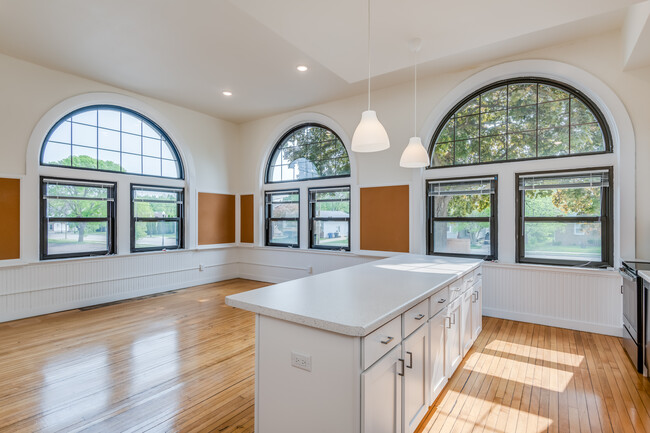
(47, 287)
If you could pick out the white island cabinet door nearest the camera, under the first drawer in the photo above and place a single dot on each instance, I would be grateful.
(381, 388)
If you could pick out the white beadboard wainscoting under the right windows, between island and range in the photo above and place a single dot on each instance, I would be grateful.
(574, 298)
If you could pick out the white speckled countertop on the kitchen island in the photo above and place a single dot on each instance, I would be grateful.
(356, 300)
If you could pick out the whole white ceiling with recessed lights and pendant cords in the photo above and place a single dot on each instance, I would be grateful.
(187, 52)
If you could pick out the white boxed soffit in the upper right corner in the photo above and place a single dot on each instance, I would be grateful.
(636, 36)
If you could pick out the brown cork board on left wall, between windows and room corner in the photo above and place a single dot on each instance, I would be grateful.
(216, 218)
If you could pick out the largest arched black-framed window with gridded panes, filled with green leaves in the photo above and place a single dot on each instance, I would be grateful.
(524, 118)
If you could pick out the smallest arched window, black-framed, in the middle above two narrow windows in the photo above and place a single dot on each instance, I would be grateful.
(308, 152)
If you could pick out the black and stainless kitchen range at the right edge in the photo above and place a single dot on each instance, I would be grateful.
(635, 313)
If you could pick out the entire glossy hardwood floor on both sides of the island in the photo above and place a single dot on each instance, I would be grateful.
(185, 362)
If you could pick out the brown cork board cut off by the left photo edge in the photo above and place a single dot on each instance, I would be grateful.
(10, 219)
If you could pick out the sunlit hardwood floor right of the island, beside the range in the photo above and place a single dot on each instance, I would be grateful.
(521, 377)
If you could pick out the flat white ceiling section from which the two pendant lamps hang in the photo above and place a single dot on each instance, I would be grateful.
(333, 32)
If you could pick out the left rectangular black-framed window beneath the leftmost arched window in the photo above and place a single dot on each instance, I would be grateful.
(77, 218)
